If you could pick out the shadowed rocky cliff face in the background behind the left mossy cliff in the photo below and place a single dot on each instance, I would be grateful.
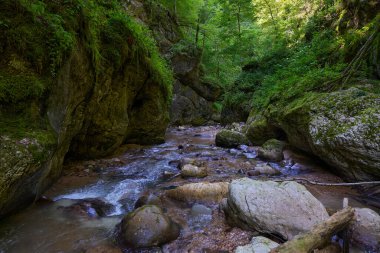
(193, 99)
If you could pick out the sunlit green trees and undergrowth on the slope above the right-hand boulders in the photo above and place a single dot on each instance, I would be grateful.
(261, 48)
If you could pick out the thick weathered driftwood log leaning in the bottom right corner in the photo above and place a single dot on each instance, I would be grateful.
(319, 236)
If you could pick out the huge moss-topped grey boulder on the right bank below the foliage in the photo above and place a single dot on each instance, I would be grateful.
(341, 128)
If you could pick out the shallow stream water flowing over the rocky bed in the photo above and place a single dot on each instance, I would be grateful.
(66, 219)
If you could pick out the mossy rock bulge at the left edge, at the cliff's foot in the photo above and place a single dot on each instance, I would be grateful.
(24, 163)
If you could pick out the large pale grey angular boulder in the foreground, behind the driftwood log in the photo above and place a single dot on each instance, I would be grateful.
(285, 209)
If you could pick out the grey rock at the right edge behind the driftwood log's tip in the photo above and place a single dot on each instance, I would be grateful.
(365, 230)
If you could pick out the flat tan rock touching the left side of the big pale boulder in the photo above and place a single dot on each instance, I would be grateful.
(204, 191)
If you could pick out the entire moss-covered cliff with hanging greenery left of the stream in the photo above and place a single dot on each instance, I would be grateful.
(76, 77)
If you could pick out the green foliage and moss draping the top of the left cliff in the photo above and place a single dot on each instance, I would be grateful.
(45, 32)
